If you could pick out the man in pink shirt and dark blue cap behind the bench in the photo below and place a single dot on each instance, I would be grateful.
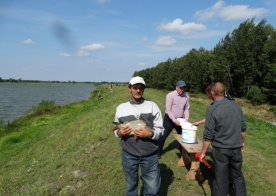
(177, 106)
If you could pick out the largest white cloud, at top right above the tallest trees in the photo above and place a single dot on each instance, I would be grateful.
(230, 12)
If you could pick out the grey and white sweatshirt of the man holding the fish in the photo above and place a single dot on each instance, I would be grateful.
(151, 114)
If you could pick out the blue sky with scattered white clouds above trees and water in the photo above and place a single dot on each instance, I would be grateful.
(108, 40)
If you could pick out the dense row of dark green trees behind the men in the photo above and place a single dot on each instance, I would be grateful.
(244, 60)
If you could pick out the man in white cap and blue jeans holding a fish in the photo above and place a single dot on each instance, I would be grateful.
(140, 146)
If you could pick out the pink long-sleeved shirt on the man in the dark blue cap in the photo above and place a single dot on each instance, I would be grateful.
(177, 106)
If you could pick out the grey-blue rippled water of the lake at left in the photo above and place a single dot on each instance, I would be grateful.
(17, 98)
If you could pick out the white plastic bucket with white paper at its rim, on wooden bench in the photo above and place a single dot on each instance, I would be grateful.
(188, 131)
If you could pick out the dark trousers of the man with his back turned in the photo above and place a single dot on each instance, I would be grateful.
(227, 165)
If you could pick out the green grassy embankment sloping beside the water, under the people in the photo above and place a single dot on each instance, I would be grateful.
(72, 151)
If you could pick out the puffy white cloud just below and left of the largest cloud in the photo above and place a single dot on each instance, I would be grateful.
(178, 26)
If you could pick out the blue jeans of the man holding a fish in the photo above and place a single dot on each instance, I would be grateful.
(150, 173)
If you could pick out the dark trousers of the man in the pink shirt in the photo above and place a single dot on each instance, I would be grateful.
(169, 125)
